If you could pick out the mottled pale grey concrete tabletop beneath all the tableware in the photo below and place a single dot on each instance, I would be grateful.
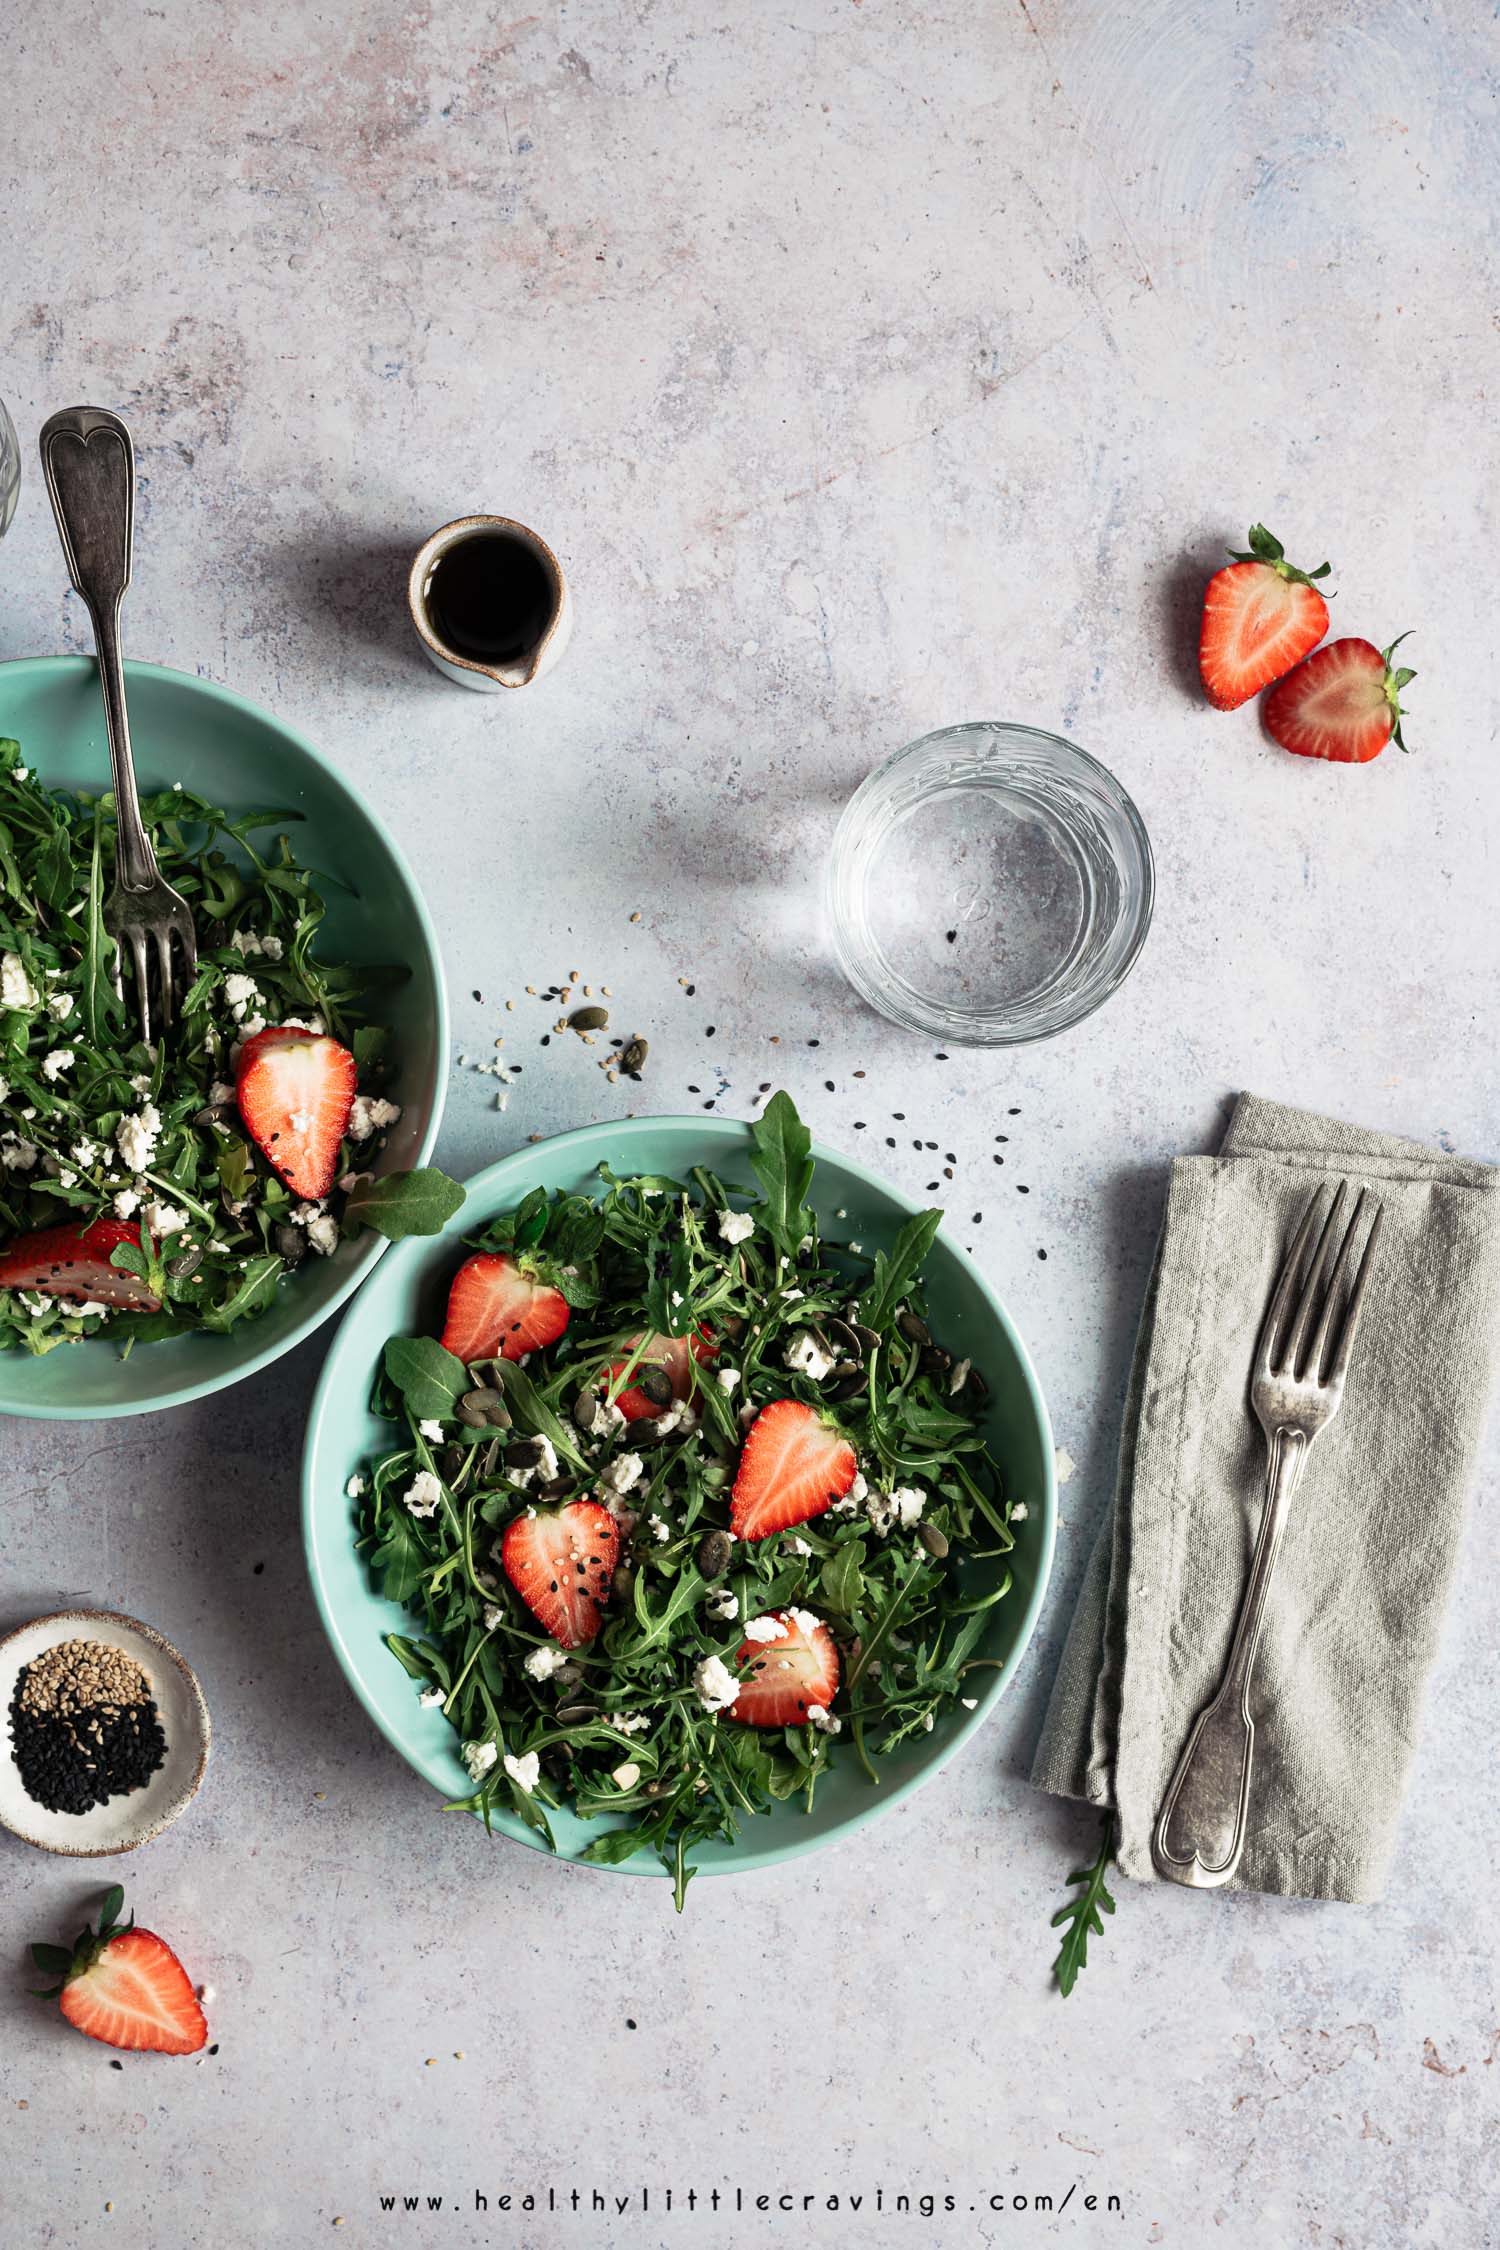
(871, 368)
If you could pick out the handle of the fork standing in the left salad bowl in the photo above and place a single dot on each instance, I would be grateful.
(89, 467)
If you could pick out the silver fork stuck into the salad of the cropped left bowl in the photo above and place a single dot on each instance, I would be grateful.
(89, 465)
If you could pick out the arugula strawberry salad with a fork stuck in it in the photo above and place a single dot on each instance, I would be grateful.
(156, 1191)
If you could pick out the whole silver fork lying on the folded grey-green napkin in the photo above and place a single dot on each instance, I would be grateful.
(1296, 1392)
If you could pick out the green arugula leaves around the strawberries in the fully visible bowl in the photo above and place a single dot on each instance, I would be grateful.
(620, 1727)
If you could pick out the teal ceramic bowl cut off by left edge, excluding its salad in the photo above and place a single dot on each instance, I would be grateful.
(213, 741)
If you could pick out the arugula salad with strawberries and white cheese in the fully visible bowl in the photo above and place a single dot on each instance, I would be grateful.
(687, 1504)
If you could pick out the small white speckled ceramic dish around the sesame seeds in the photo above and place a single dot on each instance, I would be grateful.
(127, 1821)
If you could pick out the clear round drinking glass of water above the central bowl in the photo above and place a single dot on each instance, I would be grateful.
(991, 885)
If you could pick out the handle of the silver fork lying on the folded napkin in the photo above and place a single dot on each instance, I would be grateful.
(1202, 1824)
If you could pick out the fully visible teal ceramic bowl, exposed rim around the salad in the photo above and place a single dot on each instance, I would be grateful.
(408, 1295)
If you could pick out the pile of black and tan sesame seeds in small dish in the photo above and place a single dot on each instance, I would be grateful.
(84, 1727)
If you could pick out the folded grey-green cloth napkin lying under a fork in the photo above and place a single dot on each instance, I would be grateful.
(1375, 1529)
